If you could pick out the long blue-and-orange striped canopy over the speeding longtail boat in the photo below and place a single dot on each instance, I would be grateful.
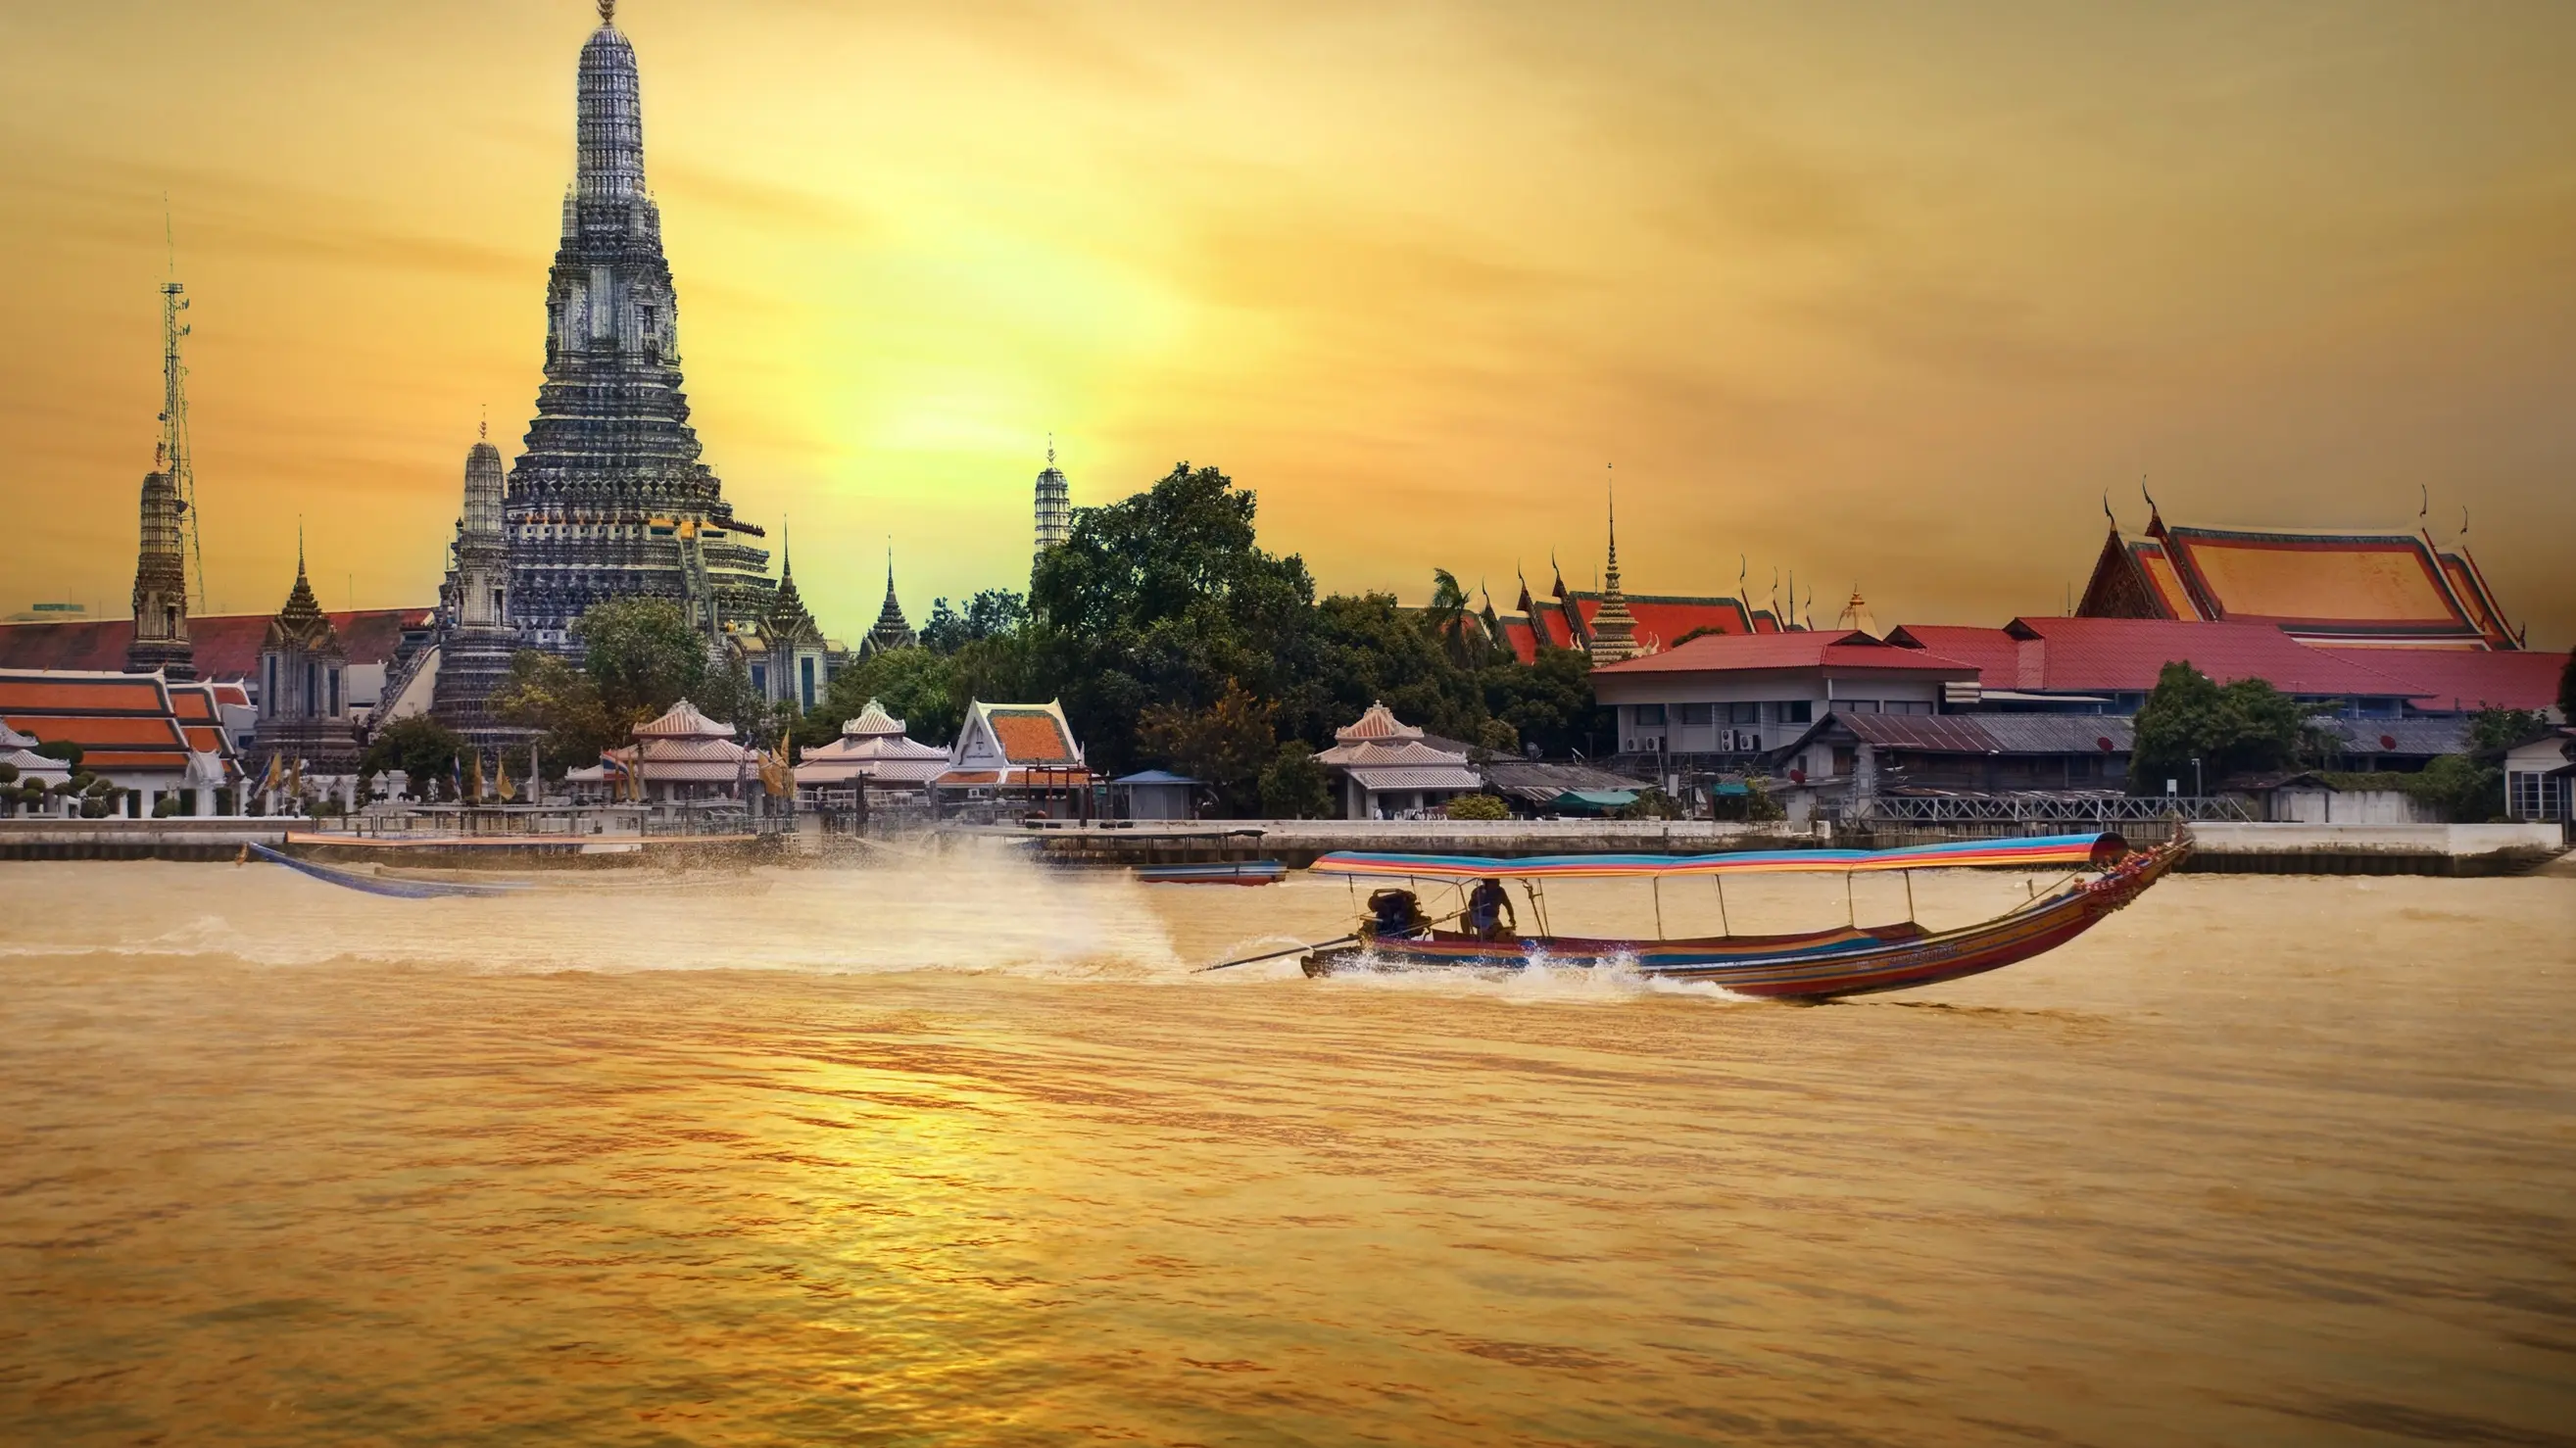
(2044, 852)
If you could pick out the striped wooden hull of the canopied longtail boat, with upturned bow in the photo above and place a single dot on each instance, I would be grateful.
(1792, 967)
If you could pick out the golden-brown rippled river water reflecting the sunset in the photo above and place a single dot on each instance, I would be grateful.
(960, 1153)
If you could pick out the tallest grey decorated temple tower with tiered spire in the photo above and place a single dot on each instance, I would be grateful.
(609, 496)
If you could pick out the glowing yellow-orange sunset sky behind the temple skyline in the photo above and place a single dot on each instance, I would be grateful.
(1882, 295)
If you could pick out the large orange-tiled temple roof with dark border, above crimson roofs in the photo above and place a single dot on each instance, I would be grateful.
(2322, 589)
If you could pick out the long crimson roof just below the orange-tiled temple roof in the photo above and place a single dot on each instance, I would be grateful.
(2090, 656)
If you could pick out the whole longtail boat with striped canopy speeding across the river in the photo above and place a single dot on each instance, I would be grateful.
(1817, 965)
